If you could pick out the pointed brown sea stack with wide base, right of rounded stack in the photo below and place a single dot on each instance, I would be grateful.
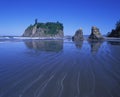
(95, 34)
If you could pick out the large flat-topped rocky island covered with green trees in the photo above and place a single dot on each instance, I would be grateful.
(49, 29)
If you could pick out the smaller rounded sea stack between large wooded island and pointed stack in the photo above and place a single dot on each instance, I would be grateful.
(78, 35)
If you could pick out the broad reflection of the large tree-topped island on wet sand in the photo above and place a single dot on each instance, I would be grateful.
(45, 45)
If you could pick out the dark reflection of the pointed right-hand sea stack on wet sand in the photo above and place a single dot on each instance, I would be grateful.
(95, 45)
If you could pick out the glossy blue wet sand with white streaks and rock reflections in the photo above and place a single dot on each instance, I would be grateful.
(59, 68)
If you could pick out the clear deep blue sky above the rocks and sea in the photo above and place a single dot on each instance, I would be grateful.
(16, 15)
